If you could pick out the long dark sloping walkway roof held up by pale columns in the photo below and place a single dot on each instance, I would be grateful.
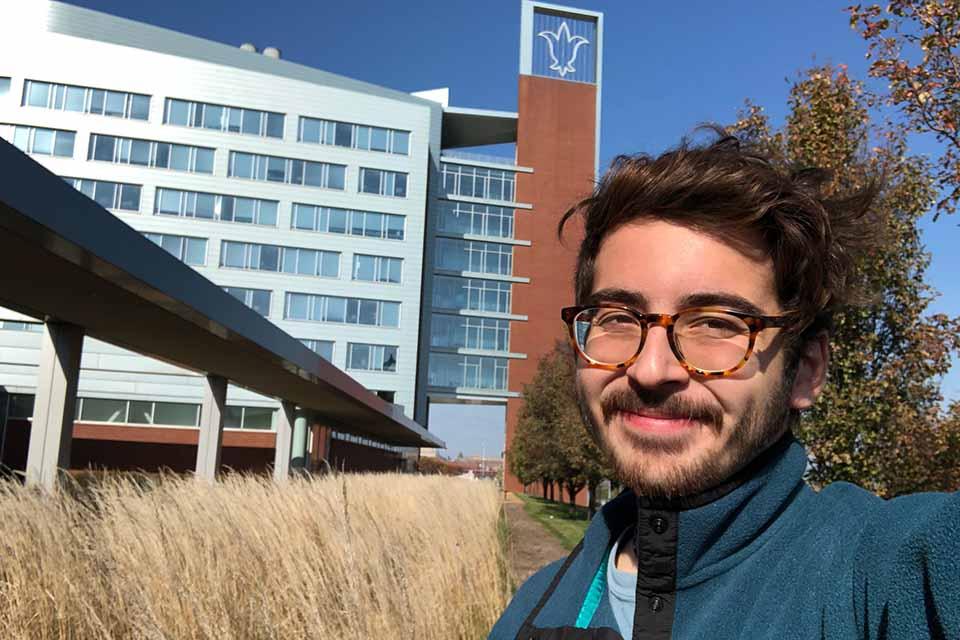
(65, 258)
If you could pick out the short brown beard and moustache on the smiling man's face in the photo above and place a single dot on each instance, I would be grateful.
(672, 467)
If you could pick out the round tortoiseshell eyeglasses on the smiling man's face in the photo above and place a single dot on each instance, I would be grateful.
(708, 341)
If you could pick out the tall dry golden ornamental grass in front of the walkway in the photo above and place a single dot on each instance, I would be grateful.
(358, 556)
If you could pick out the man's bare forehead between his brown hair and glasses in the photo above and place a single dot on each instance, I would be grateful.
(661, 263)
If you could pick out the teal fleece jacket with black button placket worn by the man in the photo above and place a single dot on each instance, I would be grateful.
(762, 557)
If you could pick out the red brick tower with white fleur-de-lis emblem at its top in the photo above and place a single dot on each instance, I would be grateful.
(557, 135)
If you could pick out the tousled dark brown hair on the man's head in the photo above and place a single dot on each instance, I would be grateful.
(723, 187)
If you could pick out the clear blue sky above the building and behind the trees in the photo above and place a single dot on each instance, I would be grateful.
(667, 68)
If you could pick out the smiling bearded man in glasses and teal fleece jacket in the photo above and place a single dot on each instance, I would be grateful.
(705, 286)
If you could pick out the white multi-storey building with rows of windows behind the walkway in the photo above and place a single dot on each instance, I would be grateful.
(337, 209)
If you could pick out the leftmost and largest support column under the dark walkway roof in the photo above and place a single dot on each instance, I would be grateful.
(52, 431)
